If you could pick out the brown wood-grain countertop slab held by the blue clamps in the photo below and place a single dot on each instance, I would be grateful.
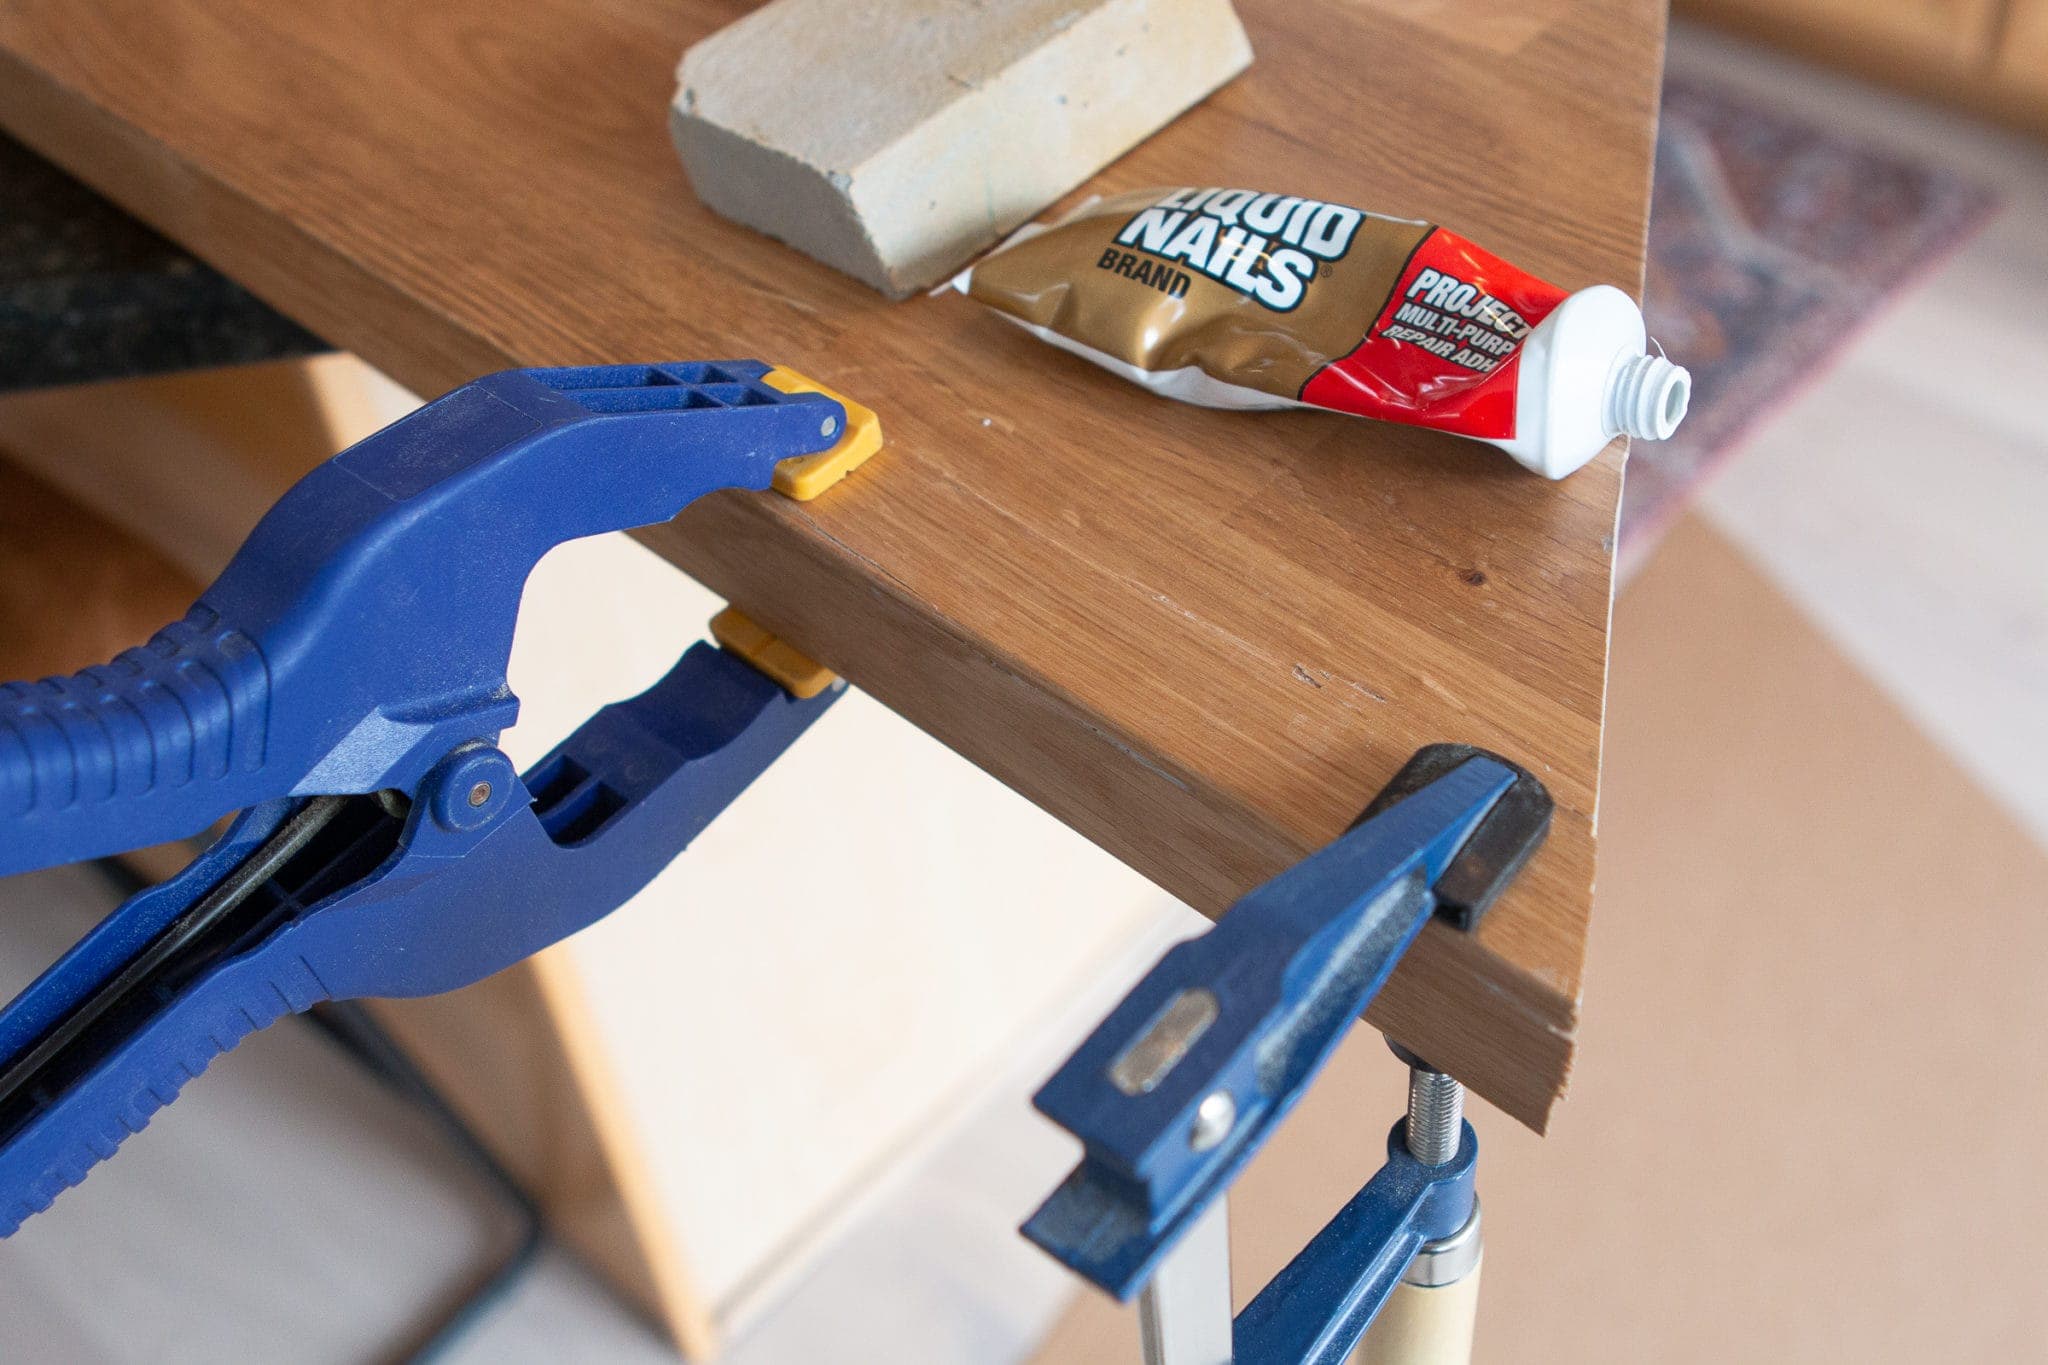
(1203, 640)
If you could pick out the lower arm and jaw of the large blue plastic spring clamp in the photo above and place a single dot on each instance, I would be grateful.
(378, 906)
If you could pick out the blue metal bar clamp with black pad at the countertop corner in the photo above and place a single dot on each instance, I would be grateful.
(1195, 1069)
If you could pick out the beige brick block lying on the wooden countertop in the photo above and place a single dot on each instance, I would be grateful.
(898, 138)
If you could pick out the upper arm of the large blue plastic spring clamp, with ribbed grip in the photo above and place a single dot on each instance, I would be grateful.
(366, 625)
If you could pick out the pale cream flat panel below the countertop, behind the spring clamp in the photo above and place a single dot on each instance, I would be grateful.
(871, 938)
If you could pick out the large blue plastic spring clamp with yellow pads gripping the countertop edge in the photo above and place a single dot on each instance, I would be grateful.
(343, 689)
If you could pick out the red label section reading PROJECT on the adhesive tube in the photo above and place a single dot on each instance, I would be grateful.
(1447, 347)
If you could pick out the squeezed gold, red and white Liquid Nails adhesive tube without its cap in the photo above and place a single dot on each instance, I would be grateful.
(1256, 302)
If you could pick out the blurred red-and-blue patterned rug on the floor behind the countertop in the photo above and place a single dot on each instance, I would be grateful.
(1773, 240)
